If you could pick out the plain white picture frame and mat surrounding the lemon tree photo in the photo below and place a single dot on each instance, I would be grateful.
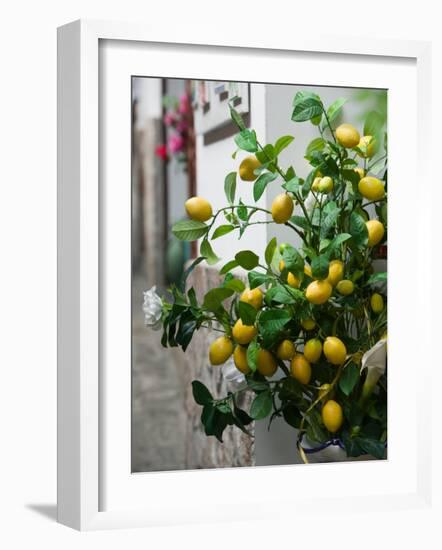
(179, 497)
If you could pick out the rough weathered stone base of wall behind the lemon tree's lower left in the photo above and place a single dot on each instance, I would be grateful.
(237, 448)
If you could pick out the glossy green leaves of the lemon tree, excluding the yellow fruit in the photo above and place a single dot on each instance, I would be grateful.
(326, 226)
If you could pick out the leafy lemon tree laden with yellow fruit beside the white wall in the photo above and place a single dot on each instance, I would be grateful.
(297, 321)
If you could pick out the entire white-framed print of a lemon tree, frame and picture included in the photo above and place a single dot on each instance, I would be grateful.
(223, 268)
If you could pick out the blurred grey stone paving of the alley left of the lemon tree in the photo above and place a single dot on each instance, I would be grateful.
(158, 422)
